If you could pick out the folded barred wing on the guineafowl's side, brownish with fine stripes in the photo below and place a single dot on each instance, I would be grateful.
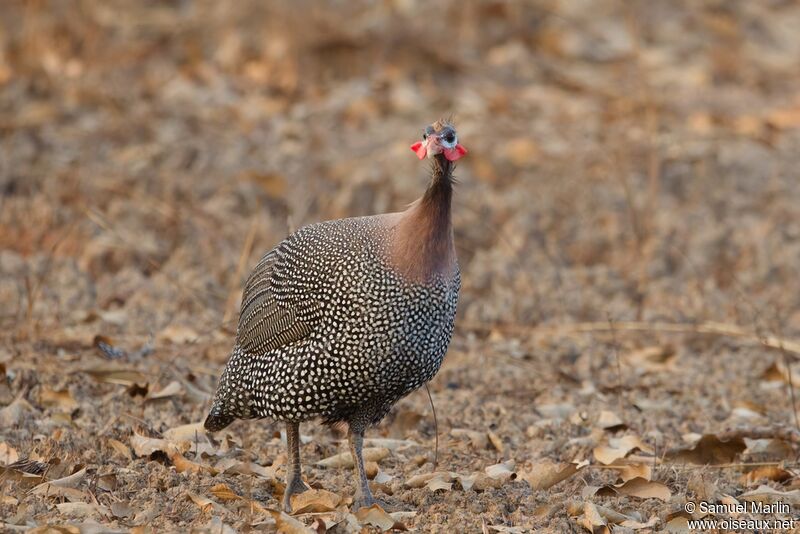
(272, 318)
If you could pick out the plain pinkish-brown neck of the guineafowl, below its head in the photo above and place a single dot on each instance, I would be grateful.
(423, 245)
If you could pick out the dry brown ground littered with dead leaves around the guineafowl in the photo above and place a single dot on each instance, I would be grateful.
(627, 223)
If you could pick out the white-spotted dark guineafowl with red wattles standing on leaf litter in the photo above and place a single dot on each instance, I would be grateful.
(345, 317)
